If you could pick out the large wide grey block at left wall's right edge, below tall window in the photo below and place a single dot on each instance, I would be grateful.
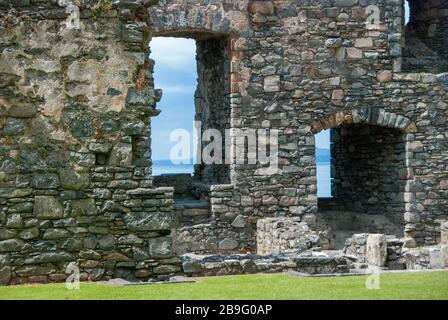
(150, 221)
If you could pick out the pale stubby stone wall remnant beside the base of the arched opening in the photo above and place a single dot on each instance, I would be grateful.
(282, 235)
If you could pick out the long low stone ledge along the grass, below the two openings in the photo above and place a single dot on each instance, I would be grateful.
(308, 262)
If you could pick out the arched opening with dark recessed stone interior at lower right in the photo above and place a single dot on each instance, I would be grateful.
(369, 180)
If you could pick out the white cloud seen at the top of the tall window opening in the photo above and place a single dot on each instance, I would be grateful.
(174, 53)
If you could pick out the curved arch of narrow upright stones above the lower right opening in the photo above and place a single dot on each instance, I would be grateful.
(370, 116)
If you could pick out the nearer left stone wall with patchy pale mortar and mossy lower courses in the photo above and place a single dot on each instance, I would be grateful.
(75, 179)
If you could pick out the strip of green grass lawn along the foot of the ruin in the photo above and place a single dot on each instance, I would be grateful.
(427, 285)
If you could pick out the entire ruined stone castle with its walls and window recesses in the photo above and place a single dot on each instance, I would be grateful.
(76, 100)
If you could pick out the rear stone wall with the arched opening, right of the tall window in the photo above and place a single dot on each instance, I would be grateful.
(281, 77)
